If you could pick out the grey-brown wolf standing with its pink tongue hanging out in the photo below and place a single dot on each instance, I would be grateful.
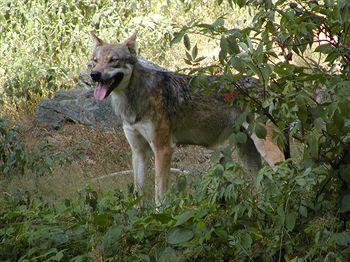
(160, 109)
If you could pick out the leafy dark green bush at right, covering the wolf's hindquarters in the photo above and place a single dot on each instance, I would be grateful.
(299, 52)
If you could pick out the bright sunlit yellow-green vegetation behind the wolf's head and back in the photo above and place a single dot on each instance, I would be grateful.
(44, 44)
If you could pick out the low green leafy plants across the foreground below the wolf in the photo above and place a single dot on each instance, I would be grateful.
(275, 216)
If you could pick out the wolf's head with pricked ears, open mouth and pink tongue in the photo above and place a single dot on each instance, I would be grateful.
(112, 65)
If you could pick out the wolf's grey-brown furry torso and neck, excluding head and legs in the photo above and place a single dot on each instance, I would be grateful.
(195, 117)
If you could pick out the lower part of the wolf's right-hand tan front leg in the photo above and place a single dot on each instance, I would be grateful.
(162, 167)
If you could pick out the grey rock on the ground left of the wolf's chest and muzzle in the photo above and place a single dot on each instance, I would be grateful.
(77, 105)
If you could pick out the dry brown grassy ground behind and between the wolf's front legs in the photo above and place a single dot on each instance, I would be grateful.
(89, 157)
